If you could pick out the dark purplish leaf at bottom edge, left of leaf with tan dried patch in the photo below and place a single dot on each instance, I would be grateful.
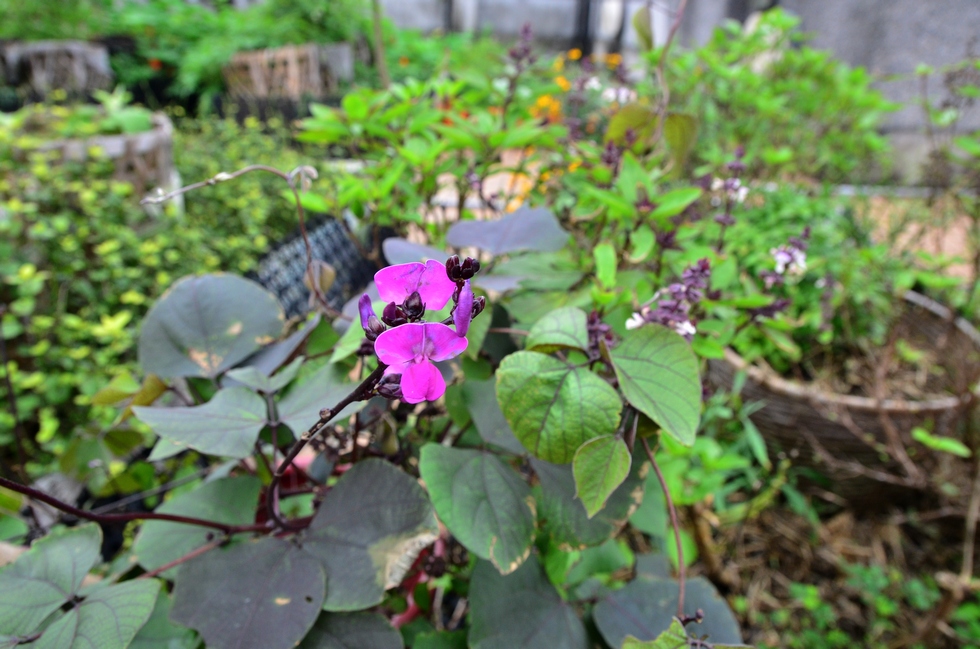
(262, 594)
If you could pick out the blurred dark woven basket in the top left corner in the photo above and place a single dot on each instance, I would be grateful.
(42, 66)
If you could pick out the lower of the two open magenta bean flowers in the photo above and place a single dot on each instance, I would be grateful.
(411, 349)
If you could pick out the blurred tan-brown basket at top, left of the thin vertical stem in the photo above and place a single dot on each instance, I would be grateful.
(293, 71)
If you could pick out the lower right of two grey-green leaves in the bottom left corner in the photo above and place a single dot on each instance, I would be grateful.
(108, 618)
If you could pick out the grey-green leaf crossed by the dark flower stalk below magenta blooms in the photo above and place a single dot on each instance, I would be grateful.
(300, 408)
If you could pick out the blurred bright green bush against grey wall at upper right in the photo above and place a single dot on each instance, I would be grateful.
(795, 109)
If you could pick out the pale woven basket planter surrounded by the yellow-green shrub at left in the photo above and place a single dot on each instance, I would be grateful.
(144, 160)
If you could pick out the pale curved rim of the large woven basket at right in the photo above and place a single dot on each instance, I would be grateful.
(811, 392)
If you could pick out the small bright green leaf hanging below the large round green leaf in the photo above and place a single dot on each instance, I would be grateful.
(599, 467)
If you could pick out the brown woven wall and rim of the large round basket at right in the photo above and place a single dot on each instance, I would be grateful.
(811, 423)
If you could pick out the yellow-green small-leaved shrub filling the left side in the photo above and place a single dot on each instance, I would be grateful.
(80, 261)
